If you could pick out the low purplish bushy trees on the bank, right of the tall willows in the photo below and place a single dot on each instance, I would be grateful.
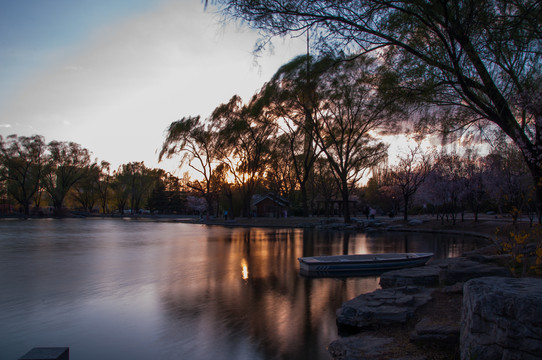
(449, 184)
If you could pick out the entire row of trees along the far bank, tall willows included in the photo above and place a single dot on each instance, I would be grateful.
(310, 135)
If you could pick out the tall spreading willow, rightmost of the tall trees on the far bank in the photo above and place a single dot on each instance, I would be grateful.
(350, 113)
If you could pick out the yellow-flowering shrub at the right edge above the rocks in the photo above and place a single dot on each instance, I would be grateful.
(525, 248)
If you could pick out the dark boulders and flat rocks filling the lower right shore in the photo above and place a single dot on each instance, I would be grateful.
(424, 313)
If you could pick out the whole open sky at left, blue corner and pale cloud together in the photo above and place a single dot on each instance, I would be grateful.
(112, 75)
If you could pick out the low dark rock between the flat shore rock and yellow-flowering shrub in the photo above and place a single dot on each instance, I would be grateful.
(463, 270)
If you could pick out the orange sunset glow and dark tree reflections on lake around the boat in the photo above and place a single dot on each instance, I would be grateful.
(268, 303)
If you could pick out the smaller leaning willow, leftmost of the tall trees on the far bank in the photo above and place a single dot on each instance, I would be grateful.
(196, 142)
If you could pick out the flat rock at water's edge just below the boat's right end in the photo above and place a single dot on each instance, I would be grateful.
(419, 276)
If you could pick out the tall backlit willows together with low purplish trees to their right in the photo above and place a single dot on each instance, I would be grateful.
(315, 130)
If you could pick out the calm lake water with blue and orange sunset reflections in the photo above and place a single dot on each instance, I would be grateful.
(114, 289)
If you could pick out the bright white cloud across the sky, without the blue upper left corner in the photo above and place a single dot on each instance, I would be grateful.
(119, 91)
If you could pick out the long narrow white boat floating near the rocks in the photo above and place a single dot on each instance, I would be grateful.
(346, 264)
